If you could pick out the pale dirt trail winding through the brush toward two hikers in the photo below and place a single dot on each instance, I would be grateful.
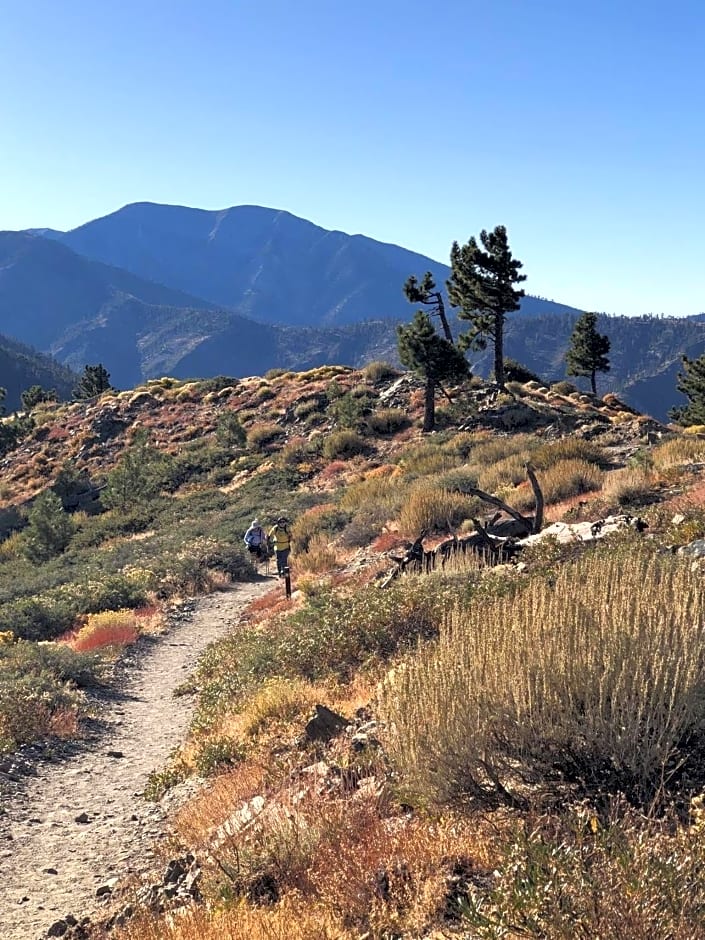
(51, 864)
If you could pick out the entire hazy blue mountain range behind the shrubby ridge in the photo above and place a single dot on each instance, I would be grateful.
(154, 289)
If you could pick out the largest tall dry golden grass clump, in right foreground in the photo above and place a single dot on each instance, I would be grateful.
(597, 674)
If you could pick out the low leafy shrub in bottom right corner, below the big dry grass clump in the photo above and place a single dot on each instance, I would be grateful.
(619, 877)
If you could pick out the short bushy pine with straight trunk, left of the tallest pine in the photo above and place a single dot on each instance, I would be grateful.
(432, 357)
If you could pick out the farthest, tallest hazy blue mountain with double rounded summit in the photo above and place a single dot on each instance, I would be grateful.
(265, 263)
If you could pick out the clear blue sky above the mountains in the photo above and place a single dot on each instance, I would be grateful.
(578, 124)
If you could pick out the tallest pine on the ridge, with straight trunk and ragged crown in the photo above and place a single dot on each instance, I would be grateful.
(481, 284)
